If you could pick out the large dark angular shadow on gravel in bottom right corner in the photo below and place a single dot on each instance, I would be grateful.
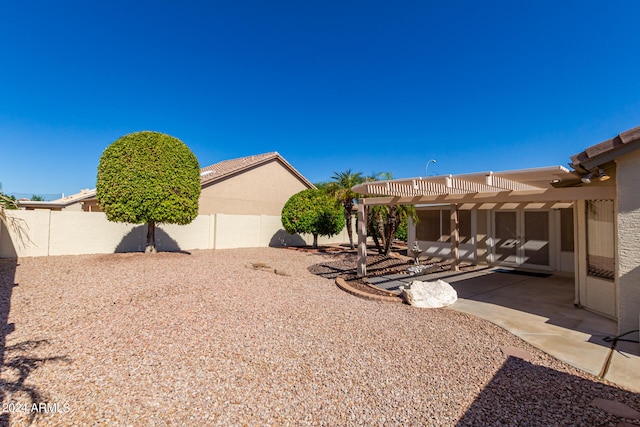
(524, 394)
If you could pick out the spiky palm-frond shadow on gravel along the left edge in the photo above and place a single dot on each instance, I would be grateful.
(15, 362)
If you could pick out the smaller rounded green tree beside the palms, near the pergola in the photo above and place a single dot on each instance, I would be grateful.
(314, 212)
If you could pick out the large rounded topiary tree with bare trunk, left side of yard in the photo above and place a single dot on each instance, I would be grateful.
(148, 177)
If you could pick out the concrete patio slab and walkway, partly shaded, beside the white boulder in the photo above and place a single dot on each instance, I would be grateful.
(539, 309)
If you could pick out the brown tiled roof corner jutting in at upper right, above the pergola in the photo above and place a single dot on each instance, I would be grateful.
(606, 151)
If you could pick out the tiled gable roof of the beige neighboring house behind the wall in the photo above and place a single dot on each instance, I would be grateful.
(228, 168)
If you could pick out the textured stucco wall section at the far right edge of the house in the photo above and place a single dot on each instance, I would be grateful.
(628, 255)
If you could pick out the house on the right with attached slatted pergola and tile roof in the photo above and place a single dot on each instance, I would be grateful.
(582, 222)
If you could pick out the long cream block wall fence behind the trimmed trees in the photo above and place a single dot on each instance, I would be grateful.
(50, 233)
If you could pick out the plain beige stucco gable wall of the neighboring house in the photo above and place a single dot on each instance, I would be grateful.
(262, 190)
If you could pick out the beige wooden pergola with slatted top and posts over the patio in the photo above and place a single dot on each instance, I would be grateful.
(551, 187)
